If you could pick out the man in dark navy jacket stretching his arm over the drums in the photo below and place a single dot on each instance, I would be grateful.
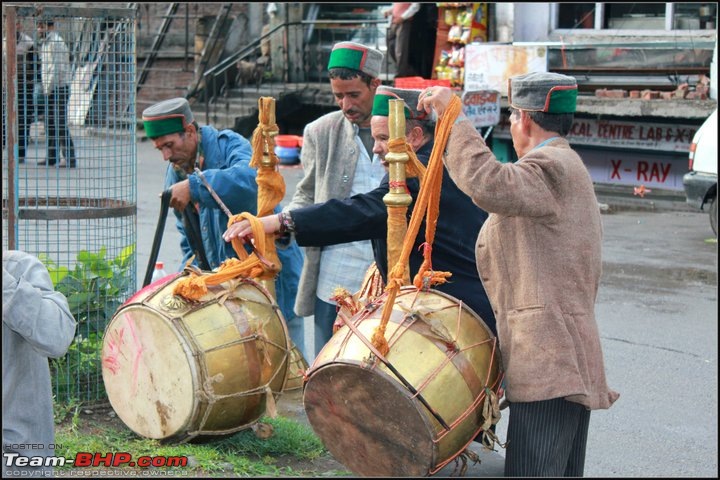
(364, 216)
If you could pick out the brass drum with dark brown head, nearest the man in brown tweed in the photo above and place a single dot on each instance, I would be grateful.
(415, 414)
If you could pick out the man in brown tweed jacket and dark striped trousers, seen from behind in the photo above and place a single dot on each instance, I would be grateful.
(539, 257)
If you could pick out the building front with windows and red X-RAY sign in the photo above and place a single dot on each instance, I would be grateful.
(647, 75)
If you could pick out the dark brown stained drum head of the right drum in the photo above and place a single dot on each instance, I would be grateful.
(369, 422)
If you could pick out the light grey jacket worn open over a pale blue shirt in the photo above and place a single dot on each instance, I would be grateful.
(329, 157)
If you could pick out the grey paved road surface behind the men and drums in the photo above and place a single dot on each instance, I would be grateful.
(657, 315)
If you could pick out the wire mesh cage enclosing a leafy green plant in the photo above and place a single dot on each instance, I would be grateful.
(69, 165)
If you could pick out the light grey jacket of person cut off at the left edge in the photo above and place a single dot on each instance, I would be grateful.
(37, 324)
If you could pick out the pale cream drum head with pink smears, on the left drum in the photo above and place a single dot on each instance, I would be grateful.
(147, 374)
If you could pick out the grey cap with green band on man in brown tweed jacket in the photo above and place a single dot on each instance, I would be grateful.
(543, 92)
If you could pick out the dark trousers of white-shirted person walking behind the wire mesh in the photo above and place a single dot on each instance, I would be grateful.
(56, 127)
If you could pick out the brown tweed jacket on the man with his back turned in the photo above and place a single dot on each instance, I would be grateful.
(539, 257)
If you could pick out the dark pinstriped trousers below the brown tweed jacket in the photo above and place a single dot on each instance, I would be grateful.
(546, 439)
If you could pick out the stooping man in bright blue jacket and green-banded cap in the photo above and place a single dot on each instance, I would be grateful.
(223, 158)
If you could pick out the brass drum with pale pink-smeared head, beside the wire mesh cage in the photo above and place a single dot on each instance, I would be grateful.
(175, 369)
